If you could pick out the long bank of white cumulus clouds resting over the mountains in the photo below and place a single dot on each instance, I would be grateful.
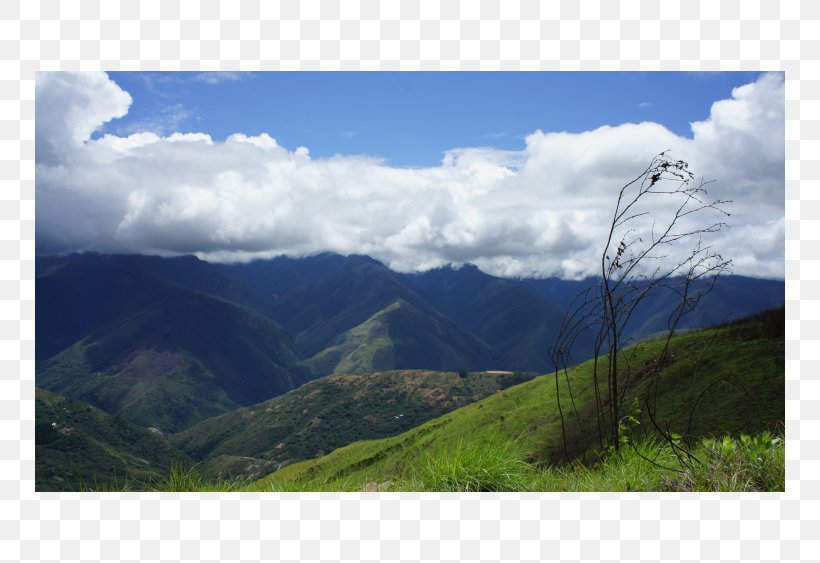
(540, 211)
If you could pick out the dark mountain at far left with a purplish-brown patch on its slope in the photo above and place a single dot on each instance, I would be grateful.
(162, 355)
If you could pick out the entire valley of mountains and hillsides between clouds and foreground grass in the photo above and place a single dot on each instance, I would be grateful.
(284, 366)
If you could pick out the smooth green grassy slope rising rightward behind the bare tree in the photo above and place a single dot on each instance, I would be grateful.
(726, 380)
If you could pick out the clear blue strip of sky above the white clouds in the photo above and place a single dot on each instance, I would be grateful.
(412, 118)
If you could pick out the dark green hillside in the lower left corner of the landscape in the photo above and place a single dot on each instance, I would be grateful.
(78, 446)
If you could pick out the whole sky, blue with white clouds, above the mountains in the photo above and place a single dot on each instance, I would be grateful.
(516, 173)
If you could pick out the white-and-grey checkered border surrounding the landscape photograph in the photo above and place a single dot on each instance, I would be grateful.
(409, 35)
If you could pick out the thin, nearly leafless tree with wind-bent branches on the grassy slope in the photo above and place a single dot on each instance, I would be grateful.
(655, 244)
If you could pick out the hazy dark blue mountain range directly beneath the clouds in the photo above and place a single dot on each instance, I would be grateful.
(169, 342)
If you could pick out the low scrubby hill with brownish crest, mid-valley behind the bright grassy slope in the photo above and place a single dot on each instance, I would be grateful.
(331, 412)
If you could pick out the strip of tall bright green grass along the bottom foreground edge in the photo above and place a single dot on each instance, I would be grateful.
(727, 463)
